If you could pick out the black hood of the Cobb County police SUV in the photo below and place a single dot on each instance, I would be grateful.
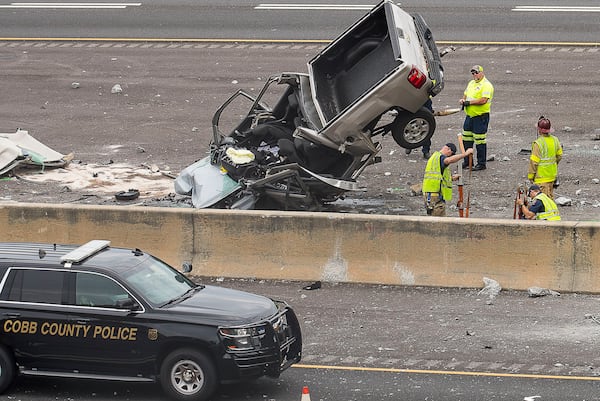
(226, 306)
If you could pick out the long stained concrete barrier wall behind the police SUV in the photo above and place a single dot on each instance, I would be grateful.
(329, 246)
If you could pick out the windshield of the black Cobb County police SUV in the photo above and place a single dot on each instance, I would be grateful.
(157, 282)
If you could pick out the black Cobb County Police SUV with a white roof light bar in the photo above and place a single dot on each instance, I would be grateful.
(100, 312)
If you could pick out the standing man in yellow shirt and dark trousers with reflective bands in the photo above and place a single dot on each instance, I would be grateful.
(476, 102)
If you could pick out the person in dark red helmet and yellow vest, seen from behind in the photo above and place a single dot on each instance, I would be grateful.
(546, 153)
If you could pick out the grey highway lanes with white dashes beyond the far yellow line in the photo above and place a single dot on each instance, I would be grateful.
(453, 20)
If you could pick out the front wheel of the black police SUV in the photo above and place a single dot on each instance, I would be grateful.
(188, 375)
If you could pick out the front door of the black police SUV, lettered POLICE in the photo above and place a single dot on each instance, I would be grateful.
(115, 341)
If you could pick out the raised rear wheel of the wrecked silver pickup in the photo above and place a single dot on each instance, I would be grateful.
(412, 130)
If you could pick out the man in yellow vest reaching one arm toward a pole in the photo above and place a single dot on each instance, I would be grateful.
(437, 182)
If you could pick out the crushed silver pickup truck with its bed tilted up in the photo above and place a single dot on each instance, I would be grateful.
(312, 144)
